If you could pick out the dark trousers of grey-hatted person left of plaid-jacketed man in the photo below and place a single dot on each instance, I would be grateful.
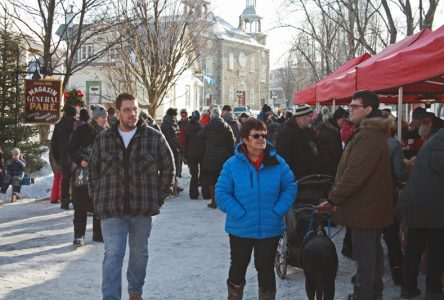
(83, 205)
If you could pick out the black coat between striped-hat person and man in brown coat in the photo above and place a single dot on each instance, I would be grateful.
(330, 147)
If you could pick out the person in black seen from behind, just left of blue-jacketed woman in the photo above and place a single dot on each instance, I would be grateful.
(218, 140)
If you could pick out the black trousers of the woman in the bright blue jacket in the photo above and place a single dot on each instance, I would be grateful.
(264, 255)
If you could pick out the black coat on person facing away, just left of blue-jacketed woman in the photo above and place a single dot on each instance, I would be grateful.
(219, 141)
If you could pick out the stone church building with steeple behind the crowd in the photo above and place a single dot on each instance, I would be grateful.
(234, 60)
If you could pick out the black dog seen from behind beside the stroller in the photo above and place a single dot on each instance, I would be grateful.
(319, 260)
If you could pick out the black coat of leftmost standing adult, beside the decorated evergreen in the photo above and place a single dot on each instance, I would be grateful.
(60, 140)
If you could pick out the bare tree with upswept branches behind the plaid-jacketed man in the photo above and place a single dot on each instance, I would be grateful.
(162, 45)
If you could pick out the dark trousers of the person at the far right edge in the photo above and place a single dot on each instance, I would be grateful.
(417, 238)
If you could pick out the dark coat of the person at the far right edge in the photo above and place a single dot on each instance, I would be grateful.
(421, 202)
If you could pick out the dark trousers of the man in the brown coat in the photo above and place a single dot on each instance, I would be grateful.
(369, 256)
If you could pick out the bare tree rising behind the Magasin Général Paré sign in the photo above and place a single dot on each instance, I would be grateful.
(79, 25)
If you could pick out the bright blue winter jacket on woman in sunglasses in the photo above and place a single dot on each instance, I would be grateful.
(255, 201)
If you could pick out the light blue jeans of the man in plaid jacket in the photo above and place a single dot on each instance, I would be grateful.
(115, 232)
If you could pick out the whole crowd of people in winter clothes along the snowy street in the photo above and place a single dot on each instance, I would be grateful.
(120, 165)
